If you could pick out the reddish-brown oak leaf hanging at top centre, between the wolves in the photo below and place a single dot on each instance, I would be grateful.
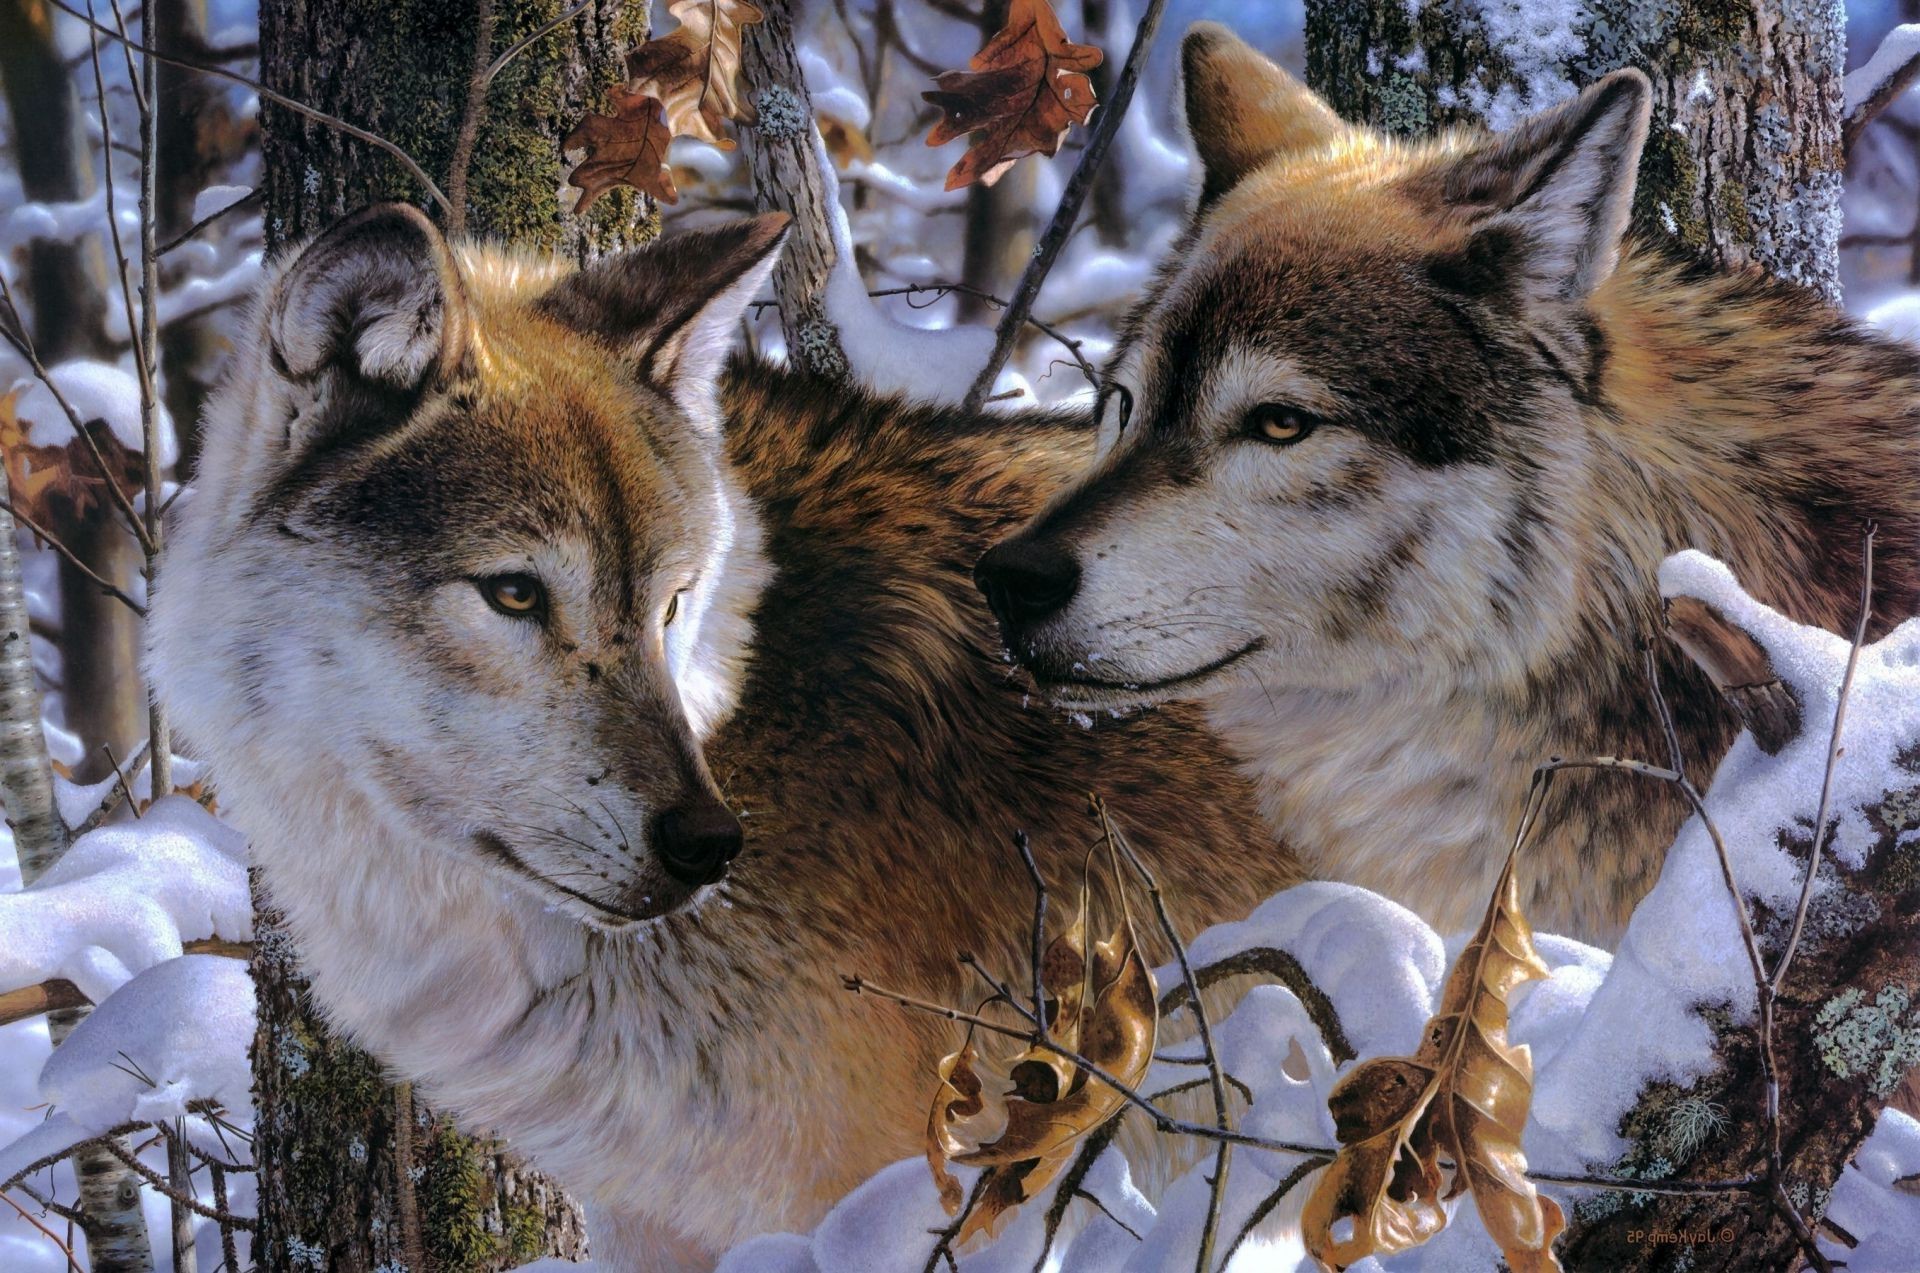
(1020, 97)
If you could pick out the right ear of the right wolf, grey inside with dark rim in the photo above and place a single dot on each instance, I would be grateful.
(1562, 183)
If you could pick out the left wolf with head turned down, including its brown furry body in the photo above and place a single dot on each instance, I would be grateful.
(592, 709)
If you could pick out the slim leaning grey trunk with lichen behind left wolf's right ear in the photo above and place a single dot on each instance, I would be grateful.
(784, 158)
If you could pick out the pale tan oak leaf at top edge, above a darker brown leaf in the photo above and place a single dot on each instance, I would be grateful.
(696, 70)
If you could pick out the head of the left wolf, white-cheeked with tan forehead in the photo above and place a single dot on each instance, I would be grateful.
(464, 537)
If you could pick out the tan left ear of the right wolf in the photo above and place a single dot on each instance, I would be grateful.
(1245, 110)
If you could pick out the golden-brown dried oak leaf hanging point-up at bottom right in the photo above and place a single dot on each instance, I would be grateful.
(1462, 1097)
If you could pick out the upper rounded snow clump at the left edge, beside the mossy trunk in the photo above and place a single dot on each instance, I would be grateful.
(126, 898)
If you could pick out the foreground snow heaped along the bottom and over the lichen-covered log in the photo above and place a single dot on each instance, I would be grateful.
(1600, 1028)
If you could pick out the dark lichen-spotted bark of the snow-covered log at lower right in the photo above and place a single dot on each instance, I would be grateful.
(1846, 1036)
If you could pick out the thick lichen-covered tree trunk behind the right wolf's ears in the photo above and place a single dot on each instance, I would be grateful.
(1744, 156)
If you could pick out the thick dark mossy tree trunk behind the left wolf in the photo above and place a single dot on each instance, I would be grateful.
(352, 1172)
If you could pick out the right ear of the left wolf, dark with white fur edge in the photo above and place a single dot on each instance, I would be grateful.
(673, 306)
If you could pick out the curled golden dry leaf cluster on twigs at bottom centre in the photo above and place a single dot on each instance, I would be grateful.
(1101, 1005)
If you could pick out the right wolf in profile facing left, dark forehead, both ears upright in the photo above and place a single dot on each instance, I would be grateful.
(1387, 458)
